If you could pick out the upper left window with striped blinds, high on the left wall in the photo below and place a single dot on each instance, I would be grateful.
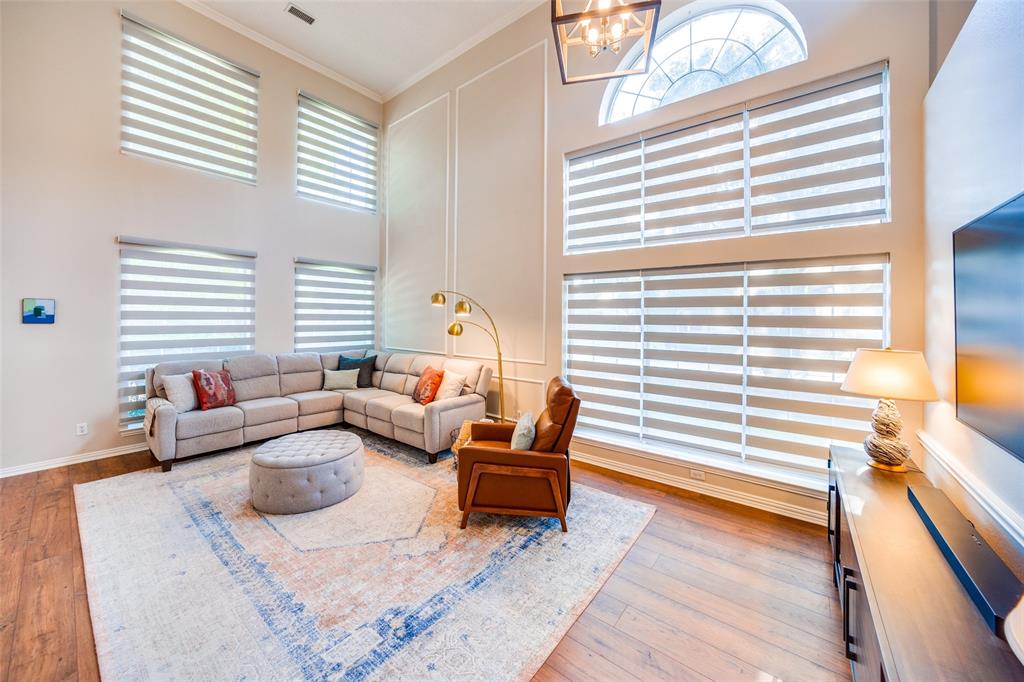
(184, 105)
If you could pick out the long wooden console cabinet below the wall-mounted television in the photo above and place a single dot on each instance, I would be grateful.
(906, 616)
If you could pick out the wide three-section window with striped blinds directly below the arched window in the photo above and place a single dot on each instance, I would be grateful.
(814, 158)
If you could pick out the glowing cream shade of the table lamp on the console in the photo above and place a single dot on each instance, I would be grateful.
(900, 375)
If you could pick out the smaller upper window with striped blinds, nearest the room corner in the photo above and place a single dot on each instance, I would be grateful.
(337, 159)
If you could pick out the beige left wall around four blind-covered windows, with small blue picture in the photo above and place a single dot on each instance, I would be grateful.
(68, 191)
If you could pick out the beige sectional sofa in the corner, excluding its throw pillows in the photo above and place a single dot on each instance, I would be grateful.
(279, 395)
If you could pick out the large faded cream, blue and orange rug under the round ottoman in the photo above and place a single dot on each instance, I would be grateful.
(188, 582)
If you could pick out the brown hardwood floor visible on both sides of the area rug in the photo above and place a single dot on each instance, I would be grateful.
(711, 590)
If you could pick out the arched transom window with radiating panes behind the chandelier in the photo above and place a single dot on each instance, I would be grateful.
(712, 50)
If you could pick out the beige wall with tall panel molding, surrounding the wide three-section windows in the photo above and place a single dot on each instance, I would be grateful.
(485, 253)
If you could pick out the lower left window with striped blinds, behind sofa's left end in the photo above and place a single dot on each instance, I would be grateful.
(180, 304)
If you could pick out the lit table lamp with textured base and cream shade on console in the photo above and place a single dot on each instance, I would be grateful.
(889, 375)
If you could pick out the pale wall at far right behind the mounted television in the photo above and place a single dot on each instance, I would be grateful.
(974, 133)
